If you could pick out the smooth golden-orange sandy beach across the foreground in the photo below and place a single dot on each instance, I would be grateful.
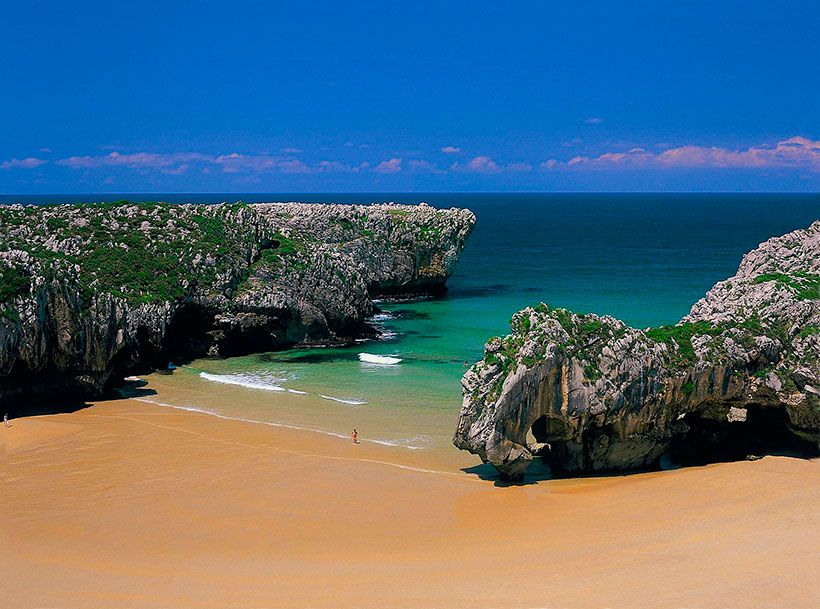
(128, 504)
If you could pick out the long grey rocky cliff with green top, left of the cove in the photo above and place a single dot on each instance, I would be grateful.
(89, 293)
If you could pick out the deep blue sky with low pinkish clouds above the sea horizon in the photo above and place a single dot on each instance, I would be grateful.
(398, 96)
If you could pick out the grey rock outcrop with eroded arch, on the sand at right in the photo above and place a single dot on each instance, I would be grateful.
(739, 375)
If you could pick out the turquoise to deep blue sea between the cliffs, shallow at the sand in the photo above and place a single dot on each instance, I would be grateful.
(642, 258)
